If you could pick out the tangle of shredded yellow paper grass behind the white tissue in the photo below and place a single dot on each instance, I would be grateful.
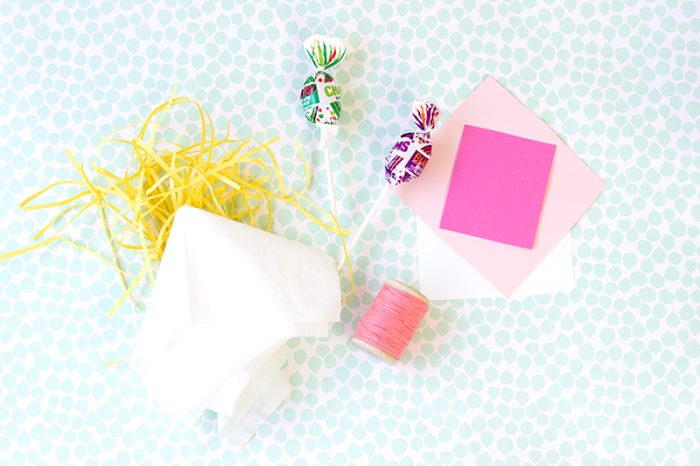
(235, 178)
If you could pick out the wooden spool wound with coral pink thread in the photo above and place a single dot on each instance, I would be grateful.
(388, 325)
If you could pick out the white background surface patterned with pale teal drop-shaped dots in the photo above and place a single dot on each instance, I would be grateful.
(604, 375)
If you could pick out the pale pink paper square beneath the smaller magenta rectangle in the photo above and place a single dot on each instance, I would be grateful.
(572, 186)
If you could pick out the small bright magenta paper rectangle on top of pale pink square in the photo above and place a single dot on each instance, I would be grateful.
(497, 186)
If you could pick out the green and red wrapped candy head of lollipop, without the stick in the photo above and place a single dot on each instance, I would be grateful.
(320, 96)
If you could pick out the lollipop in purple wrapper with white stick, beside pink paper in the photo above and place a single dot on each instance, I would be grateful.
(406, 160)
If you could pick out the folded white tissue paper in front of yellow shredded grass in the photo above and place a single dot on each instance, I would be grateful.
(226, 298)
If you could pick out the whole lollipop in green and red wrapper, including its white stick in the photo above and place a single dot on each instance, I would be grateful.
(320, 96)
